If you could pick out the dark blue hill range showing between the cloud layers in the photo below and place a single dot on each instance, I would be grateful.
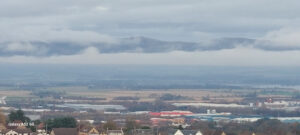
(131, 44)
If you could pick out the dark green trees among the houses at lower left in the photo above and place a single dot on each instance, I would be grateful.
(65, 122)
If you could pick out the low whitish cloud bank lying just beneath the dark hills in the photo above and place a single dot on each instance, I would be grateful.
(230, 57)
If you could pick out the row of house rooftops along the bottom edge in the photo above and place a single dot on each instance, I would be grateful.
(90, 130)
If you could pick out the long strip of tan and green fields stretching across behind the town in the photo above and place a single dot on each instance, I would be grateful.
(187, 95)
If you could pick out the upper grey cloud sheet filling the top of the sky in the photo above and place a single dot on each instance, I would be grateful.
(129, 18)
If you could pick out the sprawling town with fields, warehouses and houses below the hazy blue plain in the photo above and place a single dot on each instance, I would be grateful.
(150, 112)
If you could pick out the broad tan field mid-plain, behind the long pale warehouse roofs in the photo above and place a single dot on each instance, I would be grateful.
(151, 95)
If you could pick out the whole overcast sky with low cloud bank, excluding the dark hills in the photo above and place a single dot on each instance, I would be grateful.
(87, 22)
